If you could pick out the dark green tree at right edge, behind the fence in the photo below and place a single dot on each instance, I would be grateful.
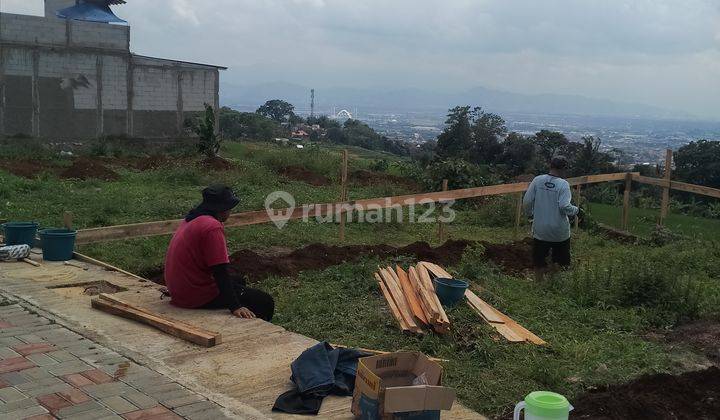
(699, 163)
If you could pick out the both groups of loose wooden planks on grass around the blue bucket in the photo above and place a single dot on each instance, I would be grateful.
(414, 304)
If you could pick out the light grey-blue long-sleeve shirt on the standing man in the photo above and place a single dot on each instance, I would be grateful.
(548, 201)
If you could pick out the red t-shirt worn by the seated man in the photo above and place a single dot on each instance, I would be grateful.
(193, 250)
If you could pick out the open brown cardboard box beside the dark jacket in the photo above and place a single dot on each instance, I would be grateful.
(404, 385)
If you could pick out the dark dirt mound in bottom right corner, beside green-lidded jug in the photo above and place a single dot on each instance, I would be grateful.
(693, 395)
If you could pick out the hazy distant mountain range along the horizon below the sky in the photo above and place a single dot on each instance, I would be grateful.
(418, 100)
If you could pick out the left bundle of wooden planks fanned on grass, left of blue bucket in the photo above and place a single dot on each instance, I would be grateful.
(412, 299)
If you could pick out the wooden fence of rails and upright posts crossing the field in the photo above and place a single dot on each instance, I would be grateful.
(167, 227)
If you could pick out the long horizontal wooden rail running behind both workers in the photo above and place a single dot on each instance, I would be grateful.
(167, 227)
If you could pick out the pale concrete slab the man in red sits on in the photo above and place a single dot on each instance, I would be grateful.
(245, 373)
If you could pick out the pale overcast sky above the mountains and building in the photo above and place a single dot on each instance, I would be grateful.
(659, 52)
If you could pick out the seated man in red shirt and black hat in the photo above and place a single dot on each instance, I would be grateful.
(197, 265)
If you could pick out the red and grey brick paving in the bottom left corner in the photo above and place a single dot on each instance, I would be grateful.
(50, 372)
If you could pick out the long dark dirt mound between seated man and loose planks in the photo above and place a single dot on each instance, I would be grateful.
(319, 256)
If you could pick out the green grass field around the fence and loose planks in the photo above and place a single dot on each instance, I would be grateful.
(596, 317)
